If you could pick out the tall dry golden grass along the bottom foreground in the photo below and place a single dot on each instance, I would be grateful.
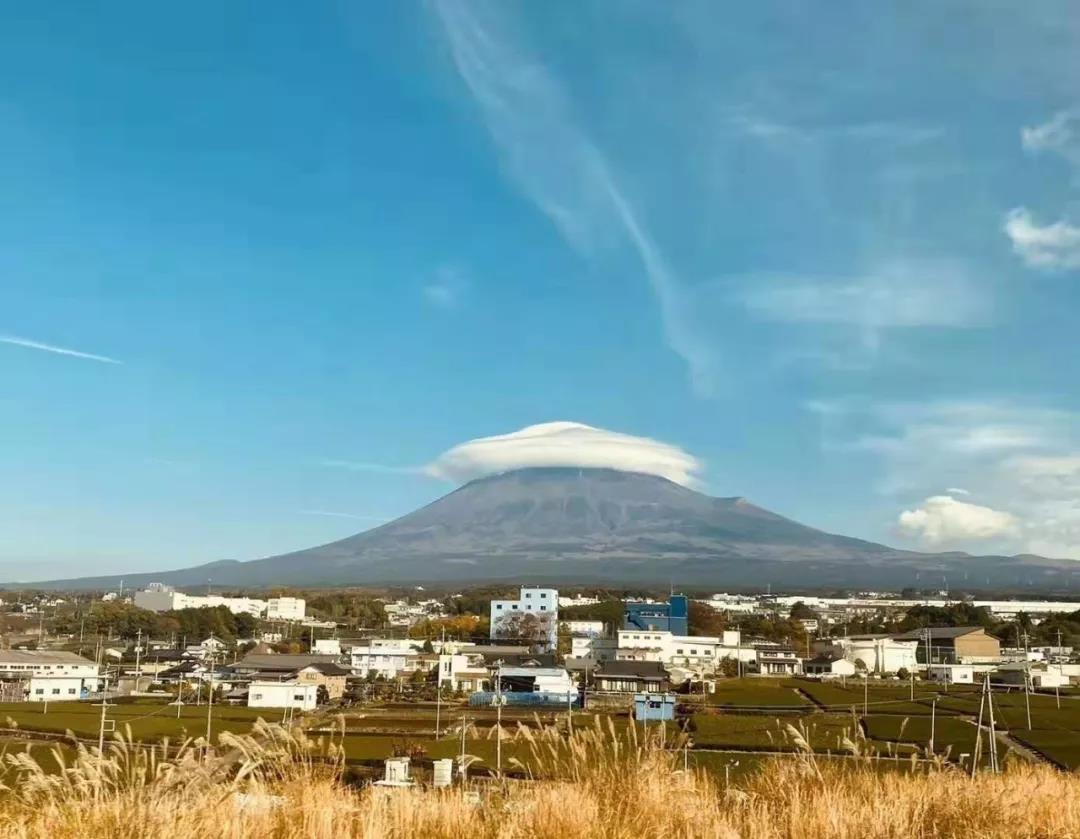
(278, 783)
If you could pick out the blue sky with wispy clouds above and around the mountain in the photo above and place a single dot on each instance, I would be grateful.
(829, 253)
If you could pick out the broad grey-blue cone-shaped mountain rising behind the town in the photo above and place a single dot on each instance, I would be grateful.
(599, 525)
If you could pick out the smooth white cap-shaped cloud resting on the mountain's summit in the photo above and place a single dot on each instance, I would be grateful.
(565, 444)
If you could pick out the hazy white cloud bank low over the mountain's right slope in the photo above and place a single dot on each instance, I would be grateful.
(1021, 458)
